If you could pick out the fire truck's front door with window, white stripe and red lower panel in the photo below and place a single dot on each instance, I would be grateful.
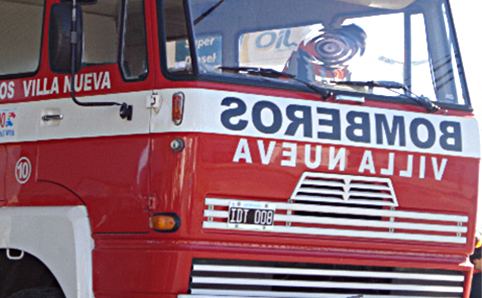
(92, 150)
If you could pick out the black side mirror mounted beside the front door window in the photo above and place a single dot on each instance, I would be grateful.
(61, 37)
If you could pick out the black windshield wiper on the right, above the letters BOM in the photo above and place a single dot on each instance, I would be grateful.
(390, 85)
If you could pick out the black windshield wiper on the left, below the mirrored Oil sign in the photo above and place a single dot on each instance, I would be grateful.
(272, 73)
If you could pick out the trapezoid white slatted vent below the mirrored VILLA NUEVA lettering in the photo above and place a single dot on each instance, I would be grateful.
(345, 189)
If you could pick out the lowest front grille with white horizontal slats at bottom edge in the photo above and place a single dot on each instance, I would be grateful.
(234, 278)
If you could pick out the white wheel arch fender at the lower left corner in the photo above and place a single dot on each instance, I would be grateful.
(59, 237)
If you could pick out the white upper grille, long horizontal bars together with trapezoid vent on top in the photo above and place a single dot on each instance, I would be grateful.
(348, 206)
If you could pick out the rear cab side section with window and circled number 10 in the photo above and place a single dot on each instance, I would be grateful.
(20, 55)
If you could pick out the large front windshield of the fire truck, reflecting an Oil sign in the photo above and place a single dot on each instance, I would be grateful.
(326, 41)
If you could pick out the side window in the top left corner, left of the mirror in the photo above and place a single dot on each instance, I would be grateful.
(20, 36)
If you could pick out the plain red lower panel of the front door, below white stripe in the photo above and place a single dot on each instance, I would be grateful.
(108, 174)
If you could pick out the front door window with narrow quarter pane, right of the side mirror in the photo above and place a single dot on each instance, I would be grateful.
(105, 30)
